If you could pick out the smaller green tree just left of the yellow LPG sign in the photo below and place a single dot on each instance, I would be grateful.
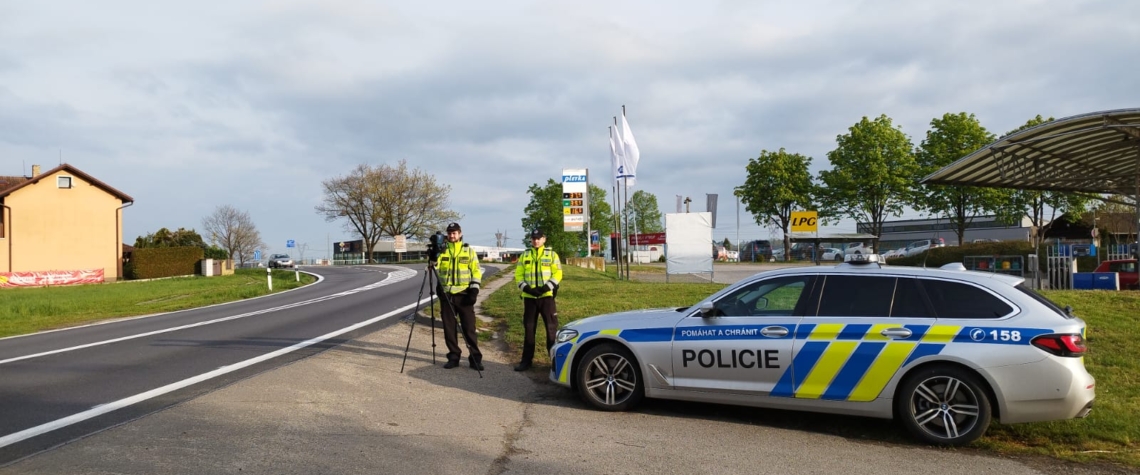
(777, 184)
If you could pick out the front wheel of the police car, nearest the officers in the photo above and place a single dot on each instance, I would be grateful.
(609, 380)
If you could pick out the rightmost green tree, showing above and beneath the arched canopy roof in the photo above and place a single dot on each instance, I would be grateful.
(1044, 208)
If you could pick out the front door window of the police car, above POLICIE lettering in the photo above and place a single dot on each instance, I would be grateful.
(767, 298)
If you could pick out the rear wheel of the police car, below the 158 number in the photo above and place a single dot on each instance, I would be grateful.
(944, 406)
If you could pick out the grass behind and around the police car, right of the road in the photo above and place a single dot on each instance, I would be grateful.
(1110, 436)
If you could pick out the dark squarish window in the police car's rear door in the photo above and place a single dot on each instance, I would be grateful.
(857, 297)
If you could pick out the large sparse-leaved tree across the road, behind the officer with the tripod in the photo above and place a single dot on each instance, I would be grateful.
(387, 201)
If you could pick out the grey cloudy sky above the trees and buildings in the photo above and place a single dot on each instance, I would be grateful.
(188, 107)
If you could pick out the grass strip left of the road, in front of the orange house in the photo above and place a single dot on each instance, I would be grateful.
(30, 310)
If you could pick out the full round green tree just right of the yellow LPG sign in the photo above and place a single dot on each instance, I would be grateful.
(873, 175)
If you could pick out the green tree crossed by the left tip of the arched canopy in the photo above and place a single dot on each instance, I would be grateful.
(950, 138)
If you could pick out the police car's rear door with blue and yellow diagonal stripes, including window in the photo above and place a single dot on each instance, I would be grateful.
(864, 330)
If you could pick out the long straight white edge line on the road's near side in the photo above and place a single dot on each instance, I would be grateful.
(100, 411)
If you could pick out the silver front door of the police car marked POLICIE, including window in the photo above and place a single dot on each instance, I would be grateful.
(744, 343)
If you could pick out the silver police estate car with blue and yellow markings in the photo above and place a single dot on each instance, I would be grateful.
(943, 350)
